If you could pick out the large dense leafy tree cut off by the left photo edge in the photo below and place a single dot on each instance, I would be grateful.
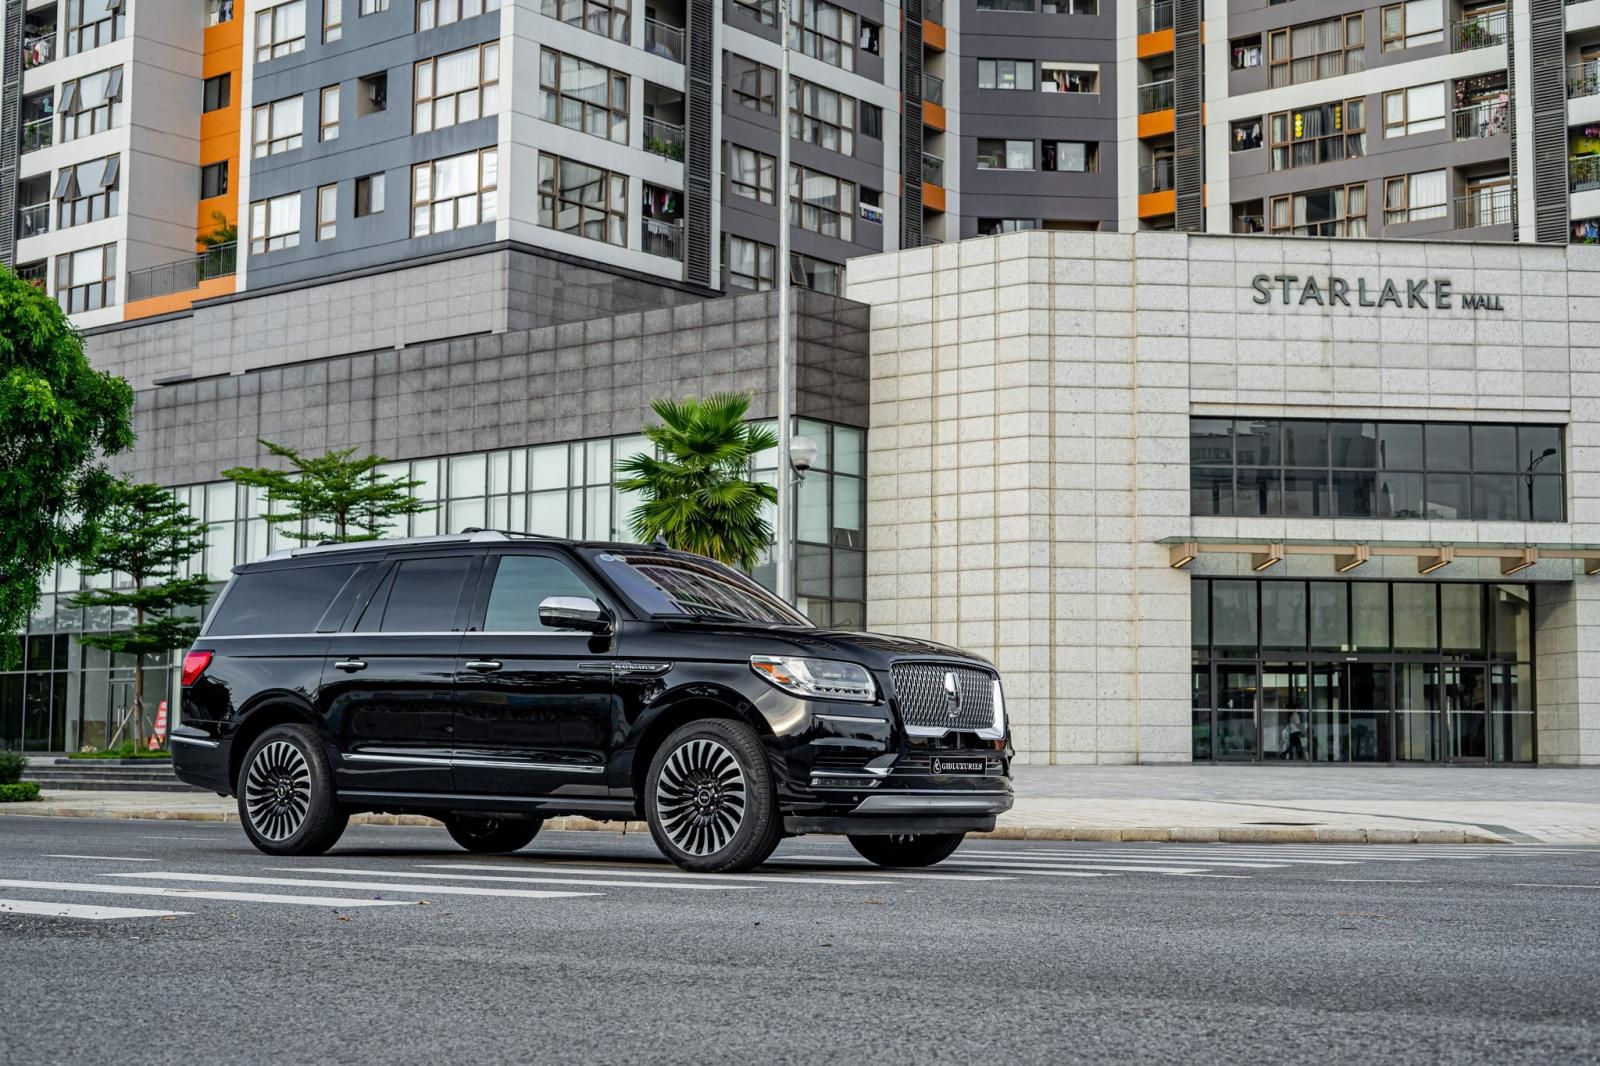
(58, 419)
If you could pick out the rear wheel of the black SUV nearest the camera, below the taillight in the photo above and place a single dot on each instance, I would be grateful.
(286, 795)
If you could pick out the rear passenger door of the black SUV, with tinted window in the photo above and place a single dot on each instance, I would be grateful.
(390, 678)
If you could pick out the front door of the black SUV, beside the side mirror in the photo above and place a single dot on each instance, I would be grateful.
(535, 707)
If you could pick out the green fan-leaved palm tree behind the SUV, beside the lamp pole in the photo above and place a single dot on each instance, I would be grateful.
(700, 497)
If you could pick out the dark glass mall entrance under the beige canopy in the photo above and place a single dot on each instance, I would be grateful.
(1362, 671)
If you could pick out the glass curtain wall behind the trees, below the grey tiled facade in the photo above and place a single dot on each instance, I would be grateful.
(68, 697)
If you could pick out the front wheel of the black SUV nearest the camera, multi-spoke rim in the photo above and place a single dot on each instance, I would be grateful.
(710, 798)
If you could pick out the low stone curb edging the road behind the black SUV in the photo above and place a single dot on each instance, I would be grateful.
(1127, 835)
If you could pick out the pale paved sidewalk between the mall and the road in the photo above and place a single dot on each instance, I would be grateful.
(1190, 803)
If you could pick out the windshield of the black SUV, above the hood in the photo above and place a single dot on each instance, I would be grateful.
(681, 587)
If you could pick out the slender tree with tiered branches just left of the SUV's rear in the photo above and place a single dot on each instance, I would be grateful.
(145, 539)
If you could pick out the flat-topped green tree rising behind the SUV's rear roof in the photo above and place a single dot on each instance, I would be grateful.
(334, 497)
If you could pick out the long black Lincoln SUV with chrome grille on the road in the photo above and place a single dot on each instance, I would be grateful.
(498, 679)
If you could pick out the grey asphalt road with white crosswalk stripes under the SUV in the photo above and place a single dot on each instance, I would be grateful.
(398, 948)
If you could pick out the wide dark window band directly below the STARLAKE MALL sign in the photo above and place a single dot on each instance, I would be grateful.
(1354, 470)
